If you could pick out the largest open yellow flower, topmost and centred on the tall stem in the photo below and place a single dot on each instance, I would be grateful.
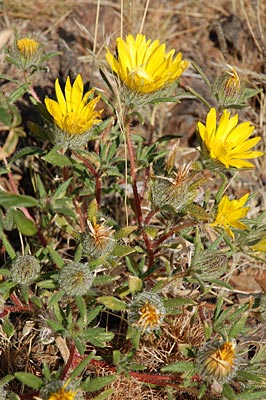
(144, 66)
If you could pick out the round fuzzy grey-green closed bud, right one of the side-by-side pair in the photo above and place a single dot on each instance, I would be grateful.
(75, 279)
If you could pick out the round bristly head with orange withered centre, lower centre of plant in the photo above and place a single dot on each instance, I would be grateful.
(146, 312)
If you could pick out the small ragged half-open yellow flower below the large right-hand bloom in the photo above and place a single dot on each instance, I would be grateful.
(230, 212)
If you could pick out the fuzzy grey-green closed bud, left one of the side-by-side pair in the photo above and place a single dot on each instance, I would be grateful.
(25, 269)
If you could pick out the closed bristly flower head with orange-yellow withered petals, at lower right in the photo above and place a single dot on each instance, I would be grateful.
(218, 361)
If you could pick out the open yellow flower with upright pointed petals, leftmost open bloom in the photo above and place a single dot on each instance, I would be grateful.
(71, 112)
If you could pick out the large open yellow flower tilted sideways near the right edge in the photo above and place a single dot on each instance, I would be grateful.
(228, 142)
